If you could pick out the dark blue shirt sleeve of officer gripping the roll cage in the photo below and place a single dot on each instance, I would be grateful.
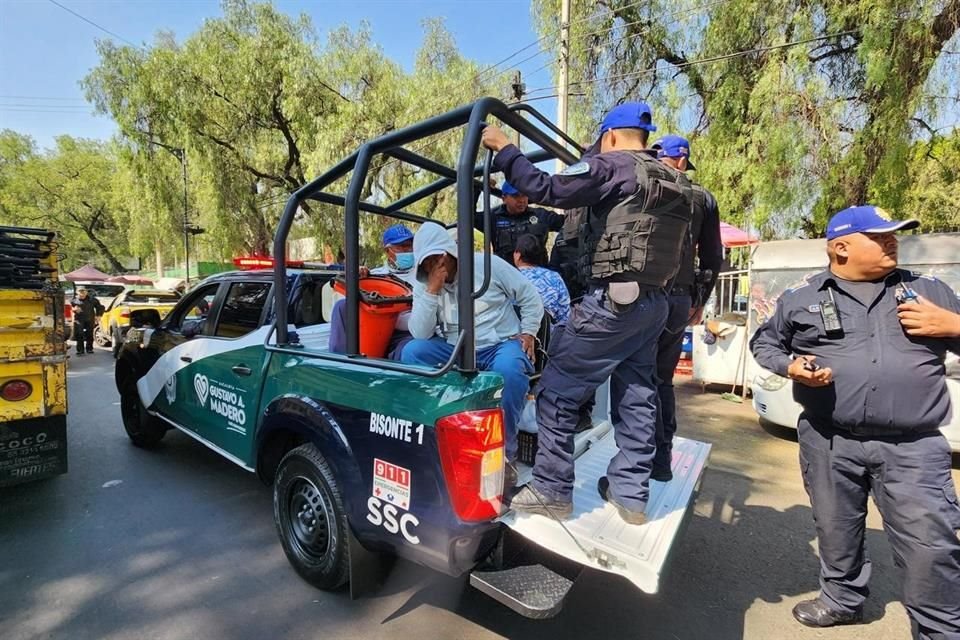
(590, 182)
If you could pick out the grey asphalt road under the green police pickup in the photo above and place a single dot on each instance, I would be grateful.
(180, 543)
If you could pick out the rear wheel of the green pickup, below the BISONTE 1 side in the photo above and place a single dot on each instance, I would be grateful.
(310, 517)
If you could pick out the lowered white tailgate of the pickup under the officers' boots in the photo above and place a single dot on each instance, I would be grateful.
(595, 535)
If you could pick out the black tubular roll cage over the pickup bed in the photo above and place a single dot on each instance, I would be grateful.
(464, 176)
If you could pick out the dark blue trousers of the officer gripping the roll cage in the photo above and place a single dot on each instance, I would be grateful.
(599, 343)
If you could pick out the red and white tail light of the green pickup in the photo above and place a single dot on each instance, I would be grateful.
(471, 454)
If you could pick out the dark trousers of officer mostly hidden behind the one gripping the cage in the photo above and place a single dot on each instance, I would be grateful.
(669, 347)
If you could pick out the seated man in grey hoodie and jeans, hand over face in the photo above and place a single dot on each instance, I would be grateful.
(505, 342)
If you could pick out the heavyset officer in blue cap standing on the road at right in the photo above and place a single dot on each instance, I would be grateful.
(872, 388)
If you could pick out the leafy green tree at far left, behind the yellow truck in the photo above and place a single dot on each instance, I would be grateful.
(68, 190)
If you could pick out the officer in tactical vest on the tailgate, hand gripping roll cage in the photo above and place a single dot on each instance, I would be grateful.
(639, 213)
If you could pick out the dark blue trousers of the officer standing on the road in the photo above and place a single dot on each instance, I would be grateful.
(909, 478)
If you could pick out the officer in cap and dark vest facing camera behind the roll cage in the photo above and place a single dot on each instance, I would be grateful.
(515, 218)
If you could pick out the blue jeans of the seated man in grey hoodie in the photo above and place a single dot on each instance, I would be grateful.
(506, 358)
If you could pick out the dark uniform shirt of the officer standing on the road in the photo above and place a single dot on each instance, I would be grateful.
(882, 378)
